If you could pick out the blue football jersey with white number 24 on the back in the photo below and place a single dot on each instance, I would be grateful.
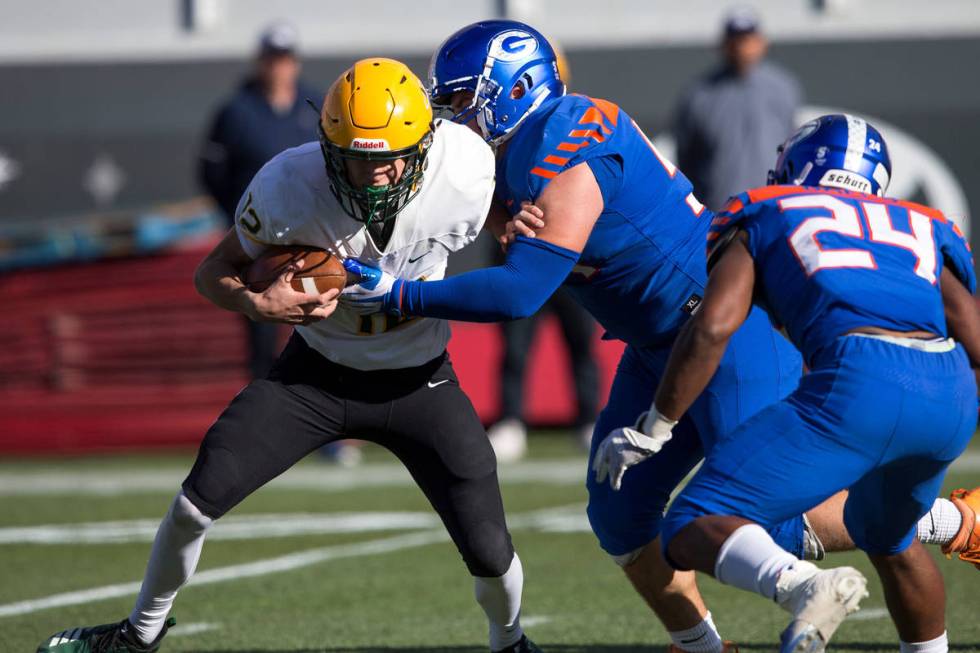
(830, 261)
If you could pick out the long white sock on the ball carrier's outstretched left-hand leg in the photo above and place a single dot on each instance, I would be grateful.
(174, 557)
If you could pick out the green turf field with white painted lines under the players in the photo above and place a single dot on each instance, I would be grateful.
(363, 564)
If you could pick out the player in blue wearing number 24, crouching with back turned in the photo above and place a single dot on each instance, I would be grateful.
(877, 294)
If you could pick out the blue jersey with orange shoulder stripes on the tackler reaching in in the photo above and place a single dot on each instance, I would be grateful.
(643, 269)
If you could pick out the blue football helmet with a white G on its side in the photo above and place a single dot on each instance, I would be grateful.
(508, 66)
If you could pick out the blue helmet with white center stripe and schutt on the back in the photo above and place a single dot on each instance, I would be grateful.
(837, 150)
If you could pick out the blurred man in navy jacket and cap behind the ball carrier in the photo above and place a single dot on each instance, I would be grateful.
(266, 115)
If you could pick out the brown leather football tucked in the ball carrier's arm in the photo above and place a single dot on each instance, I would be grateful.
(321, 269)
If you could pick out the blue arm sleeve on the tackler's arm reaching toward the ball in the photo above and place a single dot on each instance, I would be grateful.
(533, 270)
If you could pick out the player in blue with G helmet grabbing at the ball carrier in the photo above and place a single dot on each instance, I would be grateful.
(629, 239)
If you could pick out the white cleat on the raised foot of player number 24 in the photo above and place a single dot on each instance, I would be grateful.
(818, 600)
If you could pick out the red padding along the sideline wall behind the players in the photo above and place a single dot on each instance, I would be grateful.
(123, 353)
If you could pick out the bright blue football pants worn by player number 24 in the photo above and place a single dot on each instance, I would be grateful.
(880, 419)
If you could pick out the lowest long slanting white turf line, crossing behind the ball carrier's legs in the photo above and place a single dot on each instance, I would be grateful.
(268, 566)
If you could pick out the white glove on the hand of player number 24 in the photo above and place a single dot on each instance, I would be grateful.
(625, 447)
